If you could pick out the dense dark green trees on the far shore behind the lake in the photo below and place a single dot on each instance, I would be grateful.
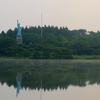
(55, 42)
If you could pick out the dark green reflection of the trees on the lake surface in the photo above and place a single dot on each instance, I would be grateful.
(55, 73)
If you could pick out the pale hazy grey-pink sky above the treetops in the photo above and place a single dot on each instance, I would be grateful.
(75, 14)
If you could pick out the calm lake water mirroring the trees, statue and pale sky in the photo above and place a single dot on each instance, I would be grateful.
(50, 79)
